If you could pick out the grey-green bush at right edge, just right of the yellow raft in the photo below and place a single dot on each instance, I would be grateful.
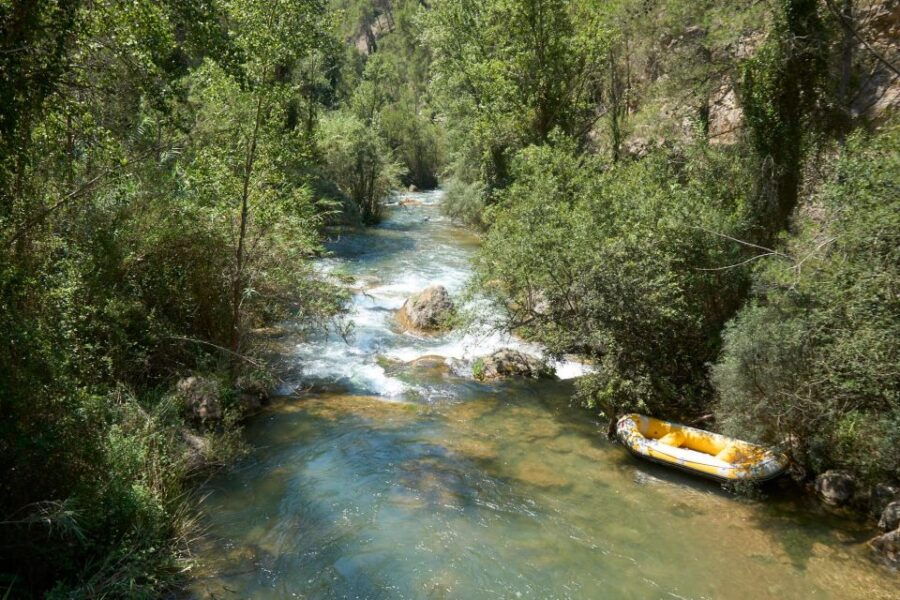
(813, 358)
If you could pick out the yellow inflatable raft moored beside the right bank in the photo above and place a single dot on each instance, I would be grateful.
(698, 451)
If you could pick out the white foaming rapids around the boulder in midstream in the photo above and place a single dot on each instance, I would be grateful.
(331, 359)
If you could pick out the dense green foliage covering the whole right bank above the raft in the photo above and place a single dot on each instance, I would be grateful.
(665, 188)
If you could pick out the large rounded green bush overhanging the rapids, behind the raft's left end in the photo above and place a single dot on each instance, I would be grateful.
(610, 263)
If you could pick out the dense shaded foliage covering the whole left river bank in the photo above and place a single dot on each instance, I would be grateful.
(155, 209)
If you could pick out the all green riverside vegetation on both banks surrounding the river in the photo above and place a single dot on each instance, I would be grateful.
(699, 197)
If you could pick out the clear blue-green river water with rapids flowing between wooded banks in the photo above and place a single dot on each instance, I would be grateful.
(394, 478)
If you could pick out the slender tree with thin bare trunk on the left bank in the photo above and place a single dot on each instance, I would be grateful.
(273, 36)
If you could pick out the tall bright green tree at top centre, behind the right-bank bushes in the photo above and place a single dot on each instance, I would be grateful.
(508, 73)
